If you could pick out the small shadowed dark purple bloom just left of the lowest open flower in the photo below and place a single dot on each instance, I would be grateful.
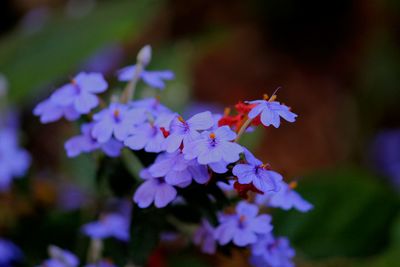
(204, 237)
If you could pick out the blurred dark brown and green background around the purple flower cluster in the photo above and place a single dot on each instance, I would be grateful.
(338, 63)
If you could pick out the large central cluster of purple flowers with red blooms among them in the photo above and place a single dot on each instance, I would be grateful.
(192, 153)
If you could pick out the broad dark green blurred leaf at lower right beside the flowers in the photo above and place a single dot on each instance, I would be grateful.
(352, 216)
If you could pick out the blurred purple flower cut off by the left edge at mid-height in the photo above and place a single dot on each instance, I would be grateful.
(14, 161)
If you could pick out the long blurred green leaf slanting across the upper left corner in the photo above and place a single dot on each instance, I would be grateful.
(30, 62)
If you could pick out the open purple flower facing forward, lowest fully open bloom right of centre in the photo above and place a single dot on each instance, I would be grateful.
(242, 228)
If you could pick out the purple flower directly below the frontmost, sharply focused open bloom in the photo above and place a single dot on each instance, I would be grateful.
(177, 170)
